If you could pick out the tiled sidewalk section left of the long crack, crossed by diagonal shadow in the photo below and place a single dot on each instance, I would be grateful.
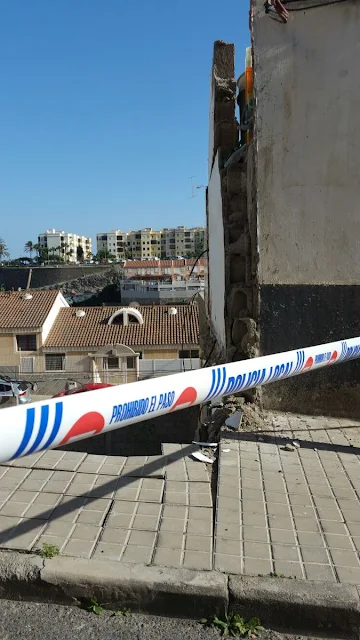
(147, 509)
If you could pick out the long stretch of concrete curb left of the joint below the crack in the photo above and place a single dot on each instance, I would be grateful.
(156, 590)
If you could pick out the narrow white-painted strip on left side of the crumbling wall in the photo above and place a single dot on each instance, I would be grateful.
(216, 254)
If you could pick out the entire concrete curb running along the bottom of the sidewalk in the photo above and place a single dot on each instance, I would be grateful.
(282, 603)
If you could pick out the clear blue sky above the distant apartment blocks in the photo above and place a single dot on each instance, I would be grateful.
(104, 112)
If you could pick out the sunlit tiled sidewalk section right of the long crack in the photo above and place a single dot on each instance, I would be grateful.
(292, 513)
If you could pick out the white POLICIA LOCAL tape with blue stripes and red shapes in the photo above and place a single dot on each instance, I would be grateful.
(29, 429)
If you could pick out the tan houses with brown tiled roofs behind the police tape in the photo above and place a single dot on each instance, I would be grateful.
(45, 340)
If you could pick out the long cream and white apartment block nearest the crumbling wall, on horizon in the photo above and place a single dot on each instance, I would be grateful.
(149, 244)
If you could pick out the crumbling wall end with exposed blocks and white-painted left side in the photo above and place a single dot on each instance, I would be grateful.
(231, 227)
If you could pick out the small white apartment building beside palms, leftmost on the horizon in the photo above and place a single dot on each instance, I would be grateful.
(65, 244)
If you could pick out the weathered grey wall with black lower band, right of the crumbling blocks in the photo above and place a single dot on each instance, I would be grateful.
(307, 135)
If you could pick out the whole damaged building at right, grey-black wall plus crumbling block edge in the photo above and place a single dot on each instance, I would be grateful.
(282, 202)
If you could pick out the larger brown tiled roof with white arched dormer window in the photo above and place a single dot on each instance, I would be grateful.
(92, 330)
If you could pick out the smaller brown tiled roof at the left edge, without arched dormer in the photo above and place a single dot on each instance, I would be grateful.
(18, 313)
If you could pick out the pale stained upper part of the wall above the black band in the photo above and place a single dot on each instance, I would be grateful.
(307, 82)
